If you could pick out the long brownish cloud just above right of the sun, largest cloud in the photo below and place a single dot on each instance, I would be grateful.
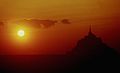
(41, 23)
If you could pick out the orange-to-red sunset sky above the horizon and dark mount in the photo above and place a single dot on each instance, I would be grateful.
(103, 15)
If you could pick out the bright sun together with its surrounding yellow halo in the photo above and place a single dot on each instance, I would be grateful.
(20, 33)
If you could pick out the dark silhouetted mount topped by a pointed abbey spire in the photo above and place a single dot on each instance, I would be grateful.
(91, 45)
